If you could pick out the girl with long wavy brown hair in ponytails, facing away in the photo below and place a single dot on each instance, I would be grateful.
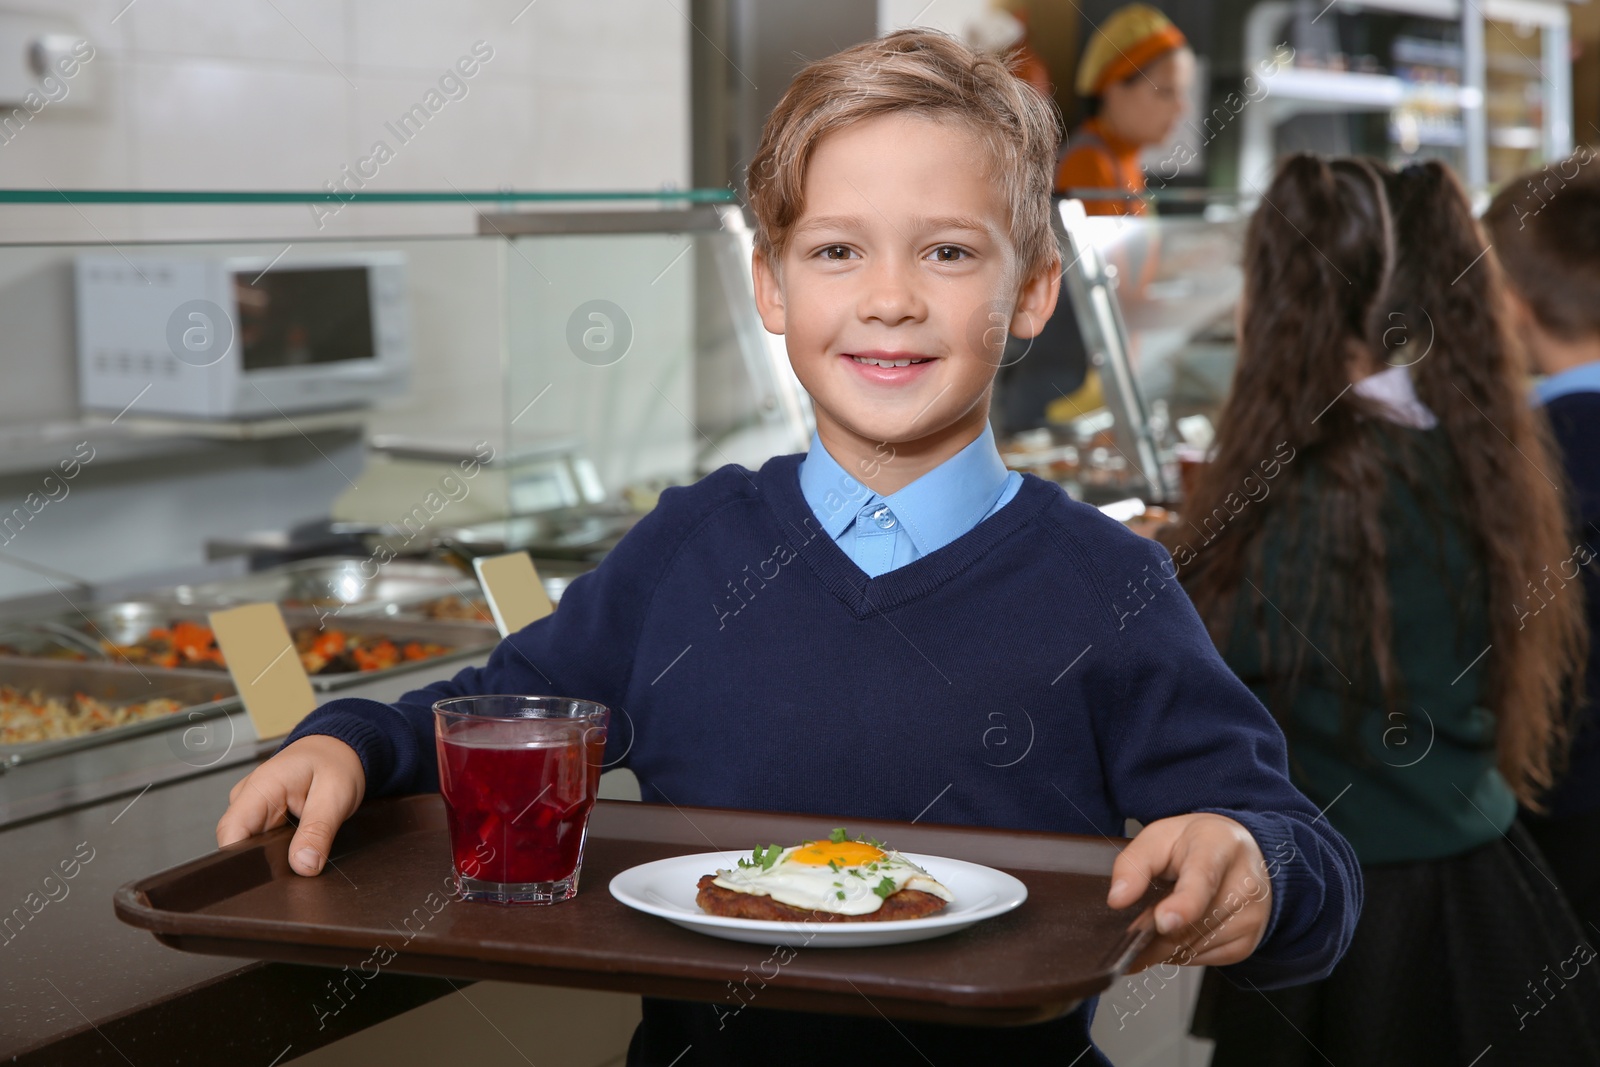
(1372, 594)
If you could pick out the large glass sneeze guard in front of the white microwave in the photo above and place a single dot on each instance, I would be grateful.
(569, 356)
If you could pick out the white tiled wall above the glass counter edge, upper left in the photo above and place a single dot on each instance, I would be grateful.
(284, 94)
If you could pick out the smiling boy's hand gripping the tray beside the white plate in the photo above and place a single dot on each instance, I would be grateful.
(1222, 903)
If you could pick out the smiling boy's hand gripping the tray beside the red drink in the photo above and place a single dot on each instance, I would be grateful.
(318, 780)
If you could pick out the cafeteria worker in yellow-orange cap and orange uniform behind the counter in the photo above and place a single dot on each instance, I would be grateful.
(1134, 82)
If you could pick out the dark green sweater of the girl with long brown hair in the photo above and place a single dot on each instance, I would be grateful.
(1407, 786)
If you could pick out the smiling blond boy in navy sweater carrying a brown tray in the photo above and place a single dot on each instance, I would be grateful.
(874, 604)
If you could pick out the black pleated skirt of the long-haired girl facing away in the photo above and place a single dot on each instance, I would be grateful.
(1471, 961)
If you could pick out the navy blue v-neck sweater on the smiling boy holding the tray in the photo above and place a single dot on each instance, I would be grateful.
(1042, 673)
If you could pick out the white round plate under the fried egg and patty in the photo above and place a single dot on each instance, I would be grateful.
(668, 889)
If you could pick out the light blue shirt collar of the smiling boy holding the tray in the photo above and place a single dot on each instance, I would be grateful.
(934, 511)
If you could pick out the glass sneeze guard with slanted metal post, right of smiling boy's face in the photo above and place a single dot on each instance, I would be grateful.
(1150, 302)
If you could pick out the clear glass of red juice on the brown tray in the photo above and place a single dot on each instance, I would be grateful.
(519, 777)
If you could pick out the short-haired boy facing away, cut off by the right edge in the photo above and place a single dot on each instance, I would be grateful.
(1546, 233)
